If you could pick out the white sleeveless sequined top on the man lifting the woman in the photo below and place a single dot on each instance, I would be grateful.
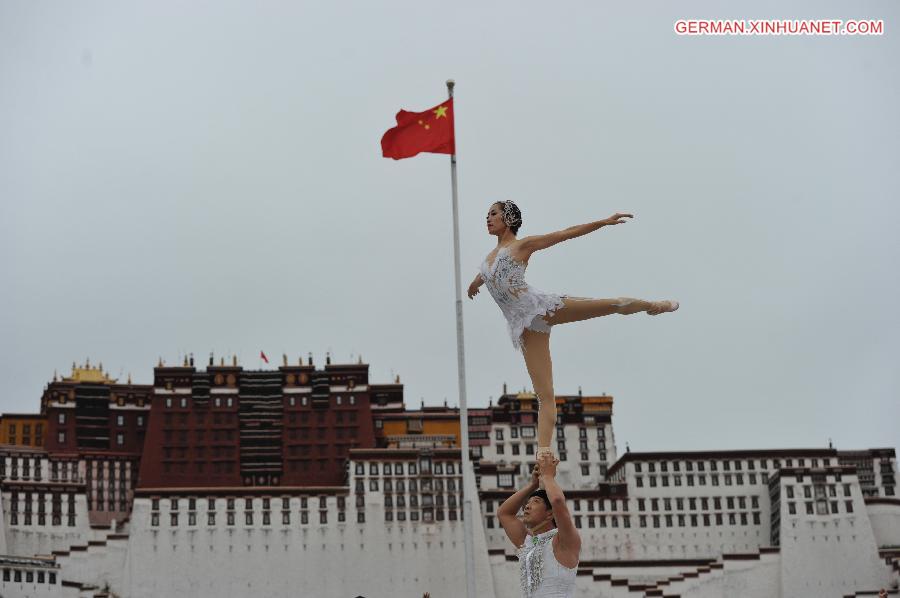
(542, 576)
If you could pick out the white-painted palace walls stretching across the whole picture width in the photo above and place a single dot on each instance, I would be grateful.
(349, 545)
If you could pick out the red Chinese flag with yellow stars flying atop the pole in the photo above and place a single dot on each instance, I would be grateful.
(429, 131)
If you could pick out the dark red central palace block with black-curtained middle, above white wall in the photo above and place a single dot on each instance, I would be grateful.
(227, 426)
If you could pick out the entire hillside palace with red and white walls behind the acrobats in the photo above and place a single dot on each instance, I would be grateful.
(309, 481)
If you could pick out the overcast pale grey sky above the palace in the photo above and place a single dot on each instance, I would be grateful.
(208, 177)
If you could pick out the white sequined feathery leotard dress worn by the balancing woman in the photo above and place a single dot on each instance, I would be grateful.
(523, 305)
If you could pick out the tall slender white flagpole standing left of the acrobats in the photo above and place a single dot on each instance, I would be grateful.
(468, 489)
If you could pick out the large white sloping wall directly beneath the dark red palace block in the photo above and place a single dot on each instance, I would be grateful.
(374, 558)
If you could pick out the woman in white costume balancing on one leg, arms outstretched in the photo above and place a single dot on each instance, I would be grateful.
(530, 312)
